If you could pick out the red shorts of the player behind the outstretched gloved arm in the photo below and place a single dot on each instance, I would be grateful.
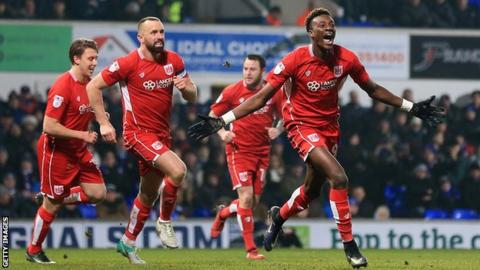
(248, 169)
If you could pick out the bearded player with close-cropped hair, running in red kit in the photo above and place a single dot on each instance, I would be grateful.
(147, 76)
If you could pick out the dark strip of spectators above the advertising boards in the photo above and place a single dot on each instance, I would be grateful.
(397, 13)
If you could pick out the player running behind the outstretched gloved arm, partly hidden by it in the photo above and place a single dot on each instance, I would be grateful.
(247, 150)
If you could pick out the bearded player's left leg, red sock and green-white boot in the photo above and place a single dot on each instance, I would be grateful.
(147, 195)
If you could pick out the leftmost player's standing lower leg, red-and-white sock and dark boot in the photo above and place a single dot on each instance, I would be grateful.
(41, 225)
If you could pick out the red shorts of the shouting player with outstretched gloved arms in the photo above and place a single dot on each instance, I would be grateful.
(303, 139)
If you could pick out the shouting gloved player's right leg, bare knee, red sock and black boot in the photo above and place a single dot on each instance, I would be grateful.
(322, 160)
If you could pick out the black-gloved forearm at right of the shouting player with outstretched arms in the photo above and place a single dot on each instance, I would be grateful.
(431, 114)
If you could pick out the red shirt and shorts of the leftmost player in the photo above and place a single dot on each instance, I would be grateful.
(65, 162)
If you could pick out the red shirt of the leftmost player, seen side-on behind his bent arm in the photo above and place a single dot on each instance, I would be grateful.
(67, 102)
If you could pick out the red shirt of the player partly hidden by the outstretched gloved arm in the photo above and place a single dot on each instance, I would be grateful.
(251, 135)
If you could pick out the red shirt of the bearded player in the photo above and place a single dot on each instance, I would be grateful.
(146, 89)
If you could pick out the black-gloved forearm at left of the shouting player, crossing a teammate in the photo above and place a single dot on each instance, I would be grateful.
(209, 125)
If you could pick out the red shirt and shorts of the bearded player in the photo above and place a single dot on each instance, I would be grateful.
(147, 88)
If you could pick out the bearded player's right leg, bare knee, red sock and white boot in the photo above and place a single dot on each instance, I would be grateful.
(175, 170)
